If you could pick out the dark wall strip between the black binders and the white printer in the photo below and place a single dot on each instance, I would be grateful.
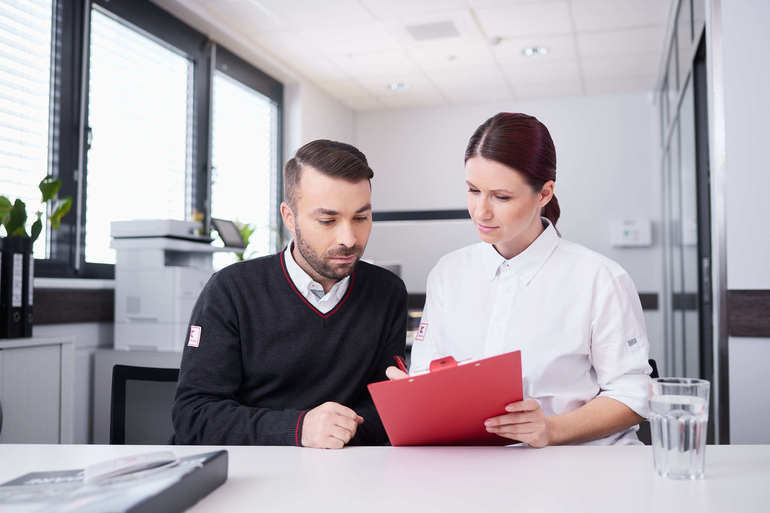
(64, 306)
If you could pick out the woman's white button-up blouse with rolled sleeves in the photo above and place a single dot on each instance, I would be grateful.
(574, 314)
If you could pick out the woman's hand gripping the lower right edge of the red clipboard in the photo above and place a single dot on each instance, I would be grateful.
(524, 422)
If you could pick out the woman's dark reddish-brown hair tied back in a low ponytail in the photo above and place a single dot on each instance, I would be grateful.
(520, 142)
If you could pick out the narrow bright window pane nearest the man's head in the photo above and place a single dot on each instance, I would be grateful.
(244, 126)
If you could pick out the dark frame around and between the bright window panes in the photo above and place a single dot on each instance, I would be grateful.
(68, 123)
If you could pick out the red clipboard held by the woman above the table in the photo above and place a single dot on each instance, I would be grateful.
(448, 406)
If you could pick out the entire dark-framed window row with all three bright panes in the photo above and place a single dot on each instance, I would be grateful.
(116, 98)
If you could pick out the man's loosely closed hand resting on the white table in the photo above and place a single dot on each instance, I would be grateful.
(329, 426)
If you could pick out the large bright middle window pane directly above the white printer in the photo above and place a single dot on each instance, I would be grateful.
(140, 119)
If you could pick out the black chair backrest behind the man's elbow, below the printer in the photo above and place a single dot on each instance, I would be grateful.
(140, 411)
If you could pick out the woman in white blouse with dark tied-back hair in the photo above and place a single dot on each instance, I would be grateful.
(574, 314)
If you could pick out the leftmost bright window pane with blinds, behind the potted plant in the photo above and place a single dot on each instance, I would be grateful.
(25, 77)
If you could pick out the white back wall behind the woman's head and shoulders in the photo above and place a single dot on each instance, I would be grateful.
(608, 168)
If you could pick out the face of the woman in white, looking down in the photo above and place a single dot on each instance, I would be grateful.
(503, 206)
